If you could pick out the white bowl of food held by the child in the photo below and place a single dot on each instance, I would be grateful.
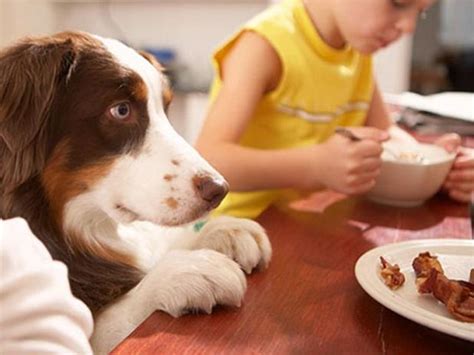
(410, 183)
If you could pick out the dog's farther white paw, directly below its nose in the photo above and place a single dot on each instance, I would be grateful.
(242, 240)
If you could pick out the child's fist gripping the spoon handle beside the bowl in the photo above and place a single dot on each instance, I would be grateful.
(350, 166)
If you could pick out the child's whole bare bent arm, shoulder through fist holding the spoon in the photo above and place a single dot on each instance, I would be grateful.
(251, 70)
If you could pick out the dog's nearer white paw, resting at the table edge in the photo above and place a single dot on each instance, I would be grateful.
(190, 280)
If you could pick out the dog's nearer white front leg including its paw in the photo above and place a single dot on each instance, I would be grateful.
(181, 281)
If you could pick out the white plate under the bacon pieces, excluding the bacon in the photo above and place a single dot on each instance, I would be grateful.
(456, 257)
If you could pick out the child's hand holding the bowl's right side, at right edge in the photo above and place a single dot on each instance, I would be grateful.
(460, 181)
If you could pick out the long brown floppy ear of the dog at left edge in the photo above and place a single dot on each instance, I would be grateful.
(30, 73)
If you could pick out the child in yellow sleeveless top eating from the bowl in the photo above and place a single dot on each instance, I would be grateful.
(286, 81)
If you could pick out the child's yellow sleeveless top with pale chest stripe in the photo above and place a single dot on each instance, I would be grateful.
(320, 88)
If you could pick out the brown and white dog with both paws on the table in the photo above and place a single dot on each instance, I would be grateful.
(89, 159)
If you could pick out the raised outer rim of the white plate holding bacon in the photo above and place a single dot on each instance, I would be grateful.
(388, 298)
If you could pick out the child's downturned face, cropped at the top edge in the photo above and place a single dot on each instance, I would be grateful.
(369, 25)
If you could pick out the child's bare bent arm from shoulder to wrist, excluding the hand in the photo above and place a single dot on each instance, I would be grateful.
(249, 71)
